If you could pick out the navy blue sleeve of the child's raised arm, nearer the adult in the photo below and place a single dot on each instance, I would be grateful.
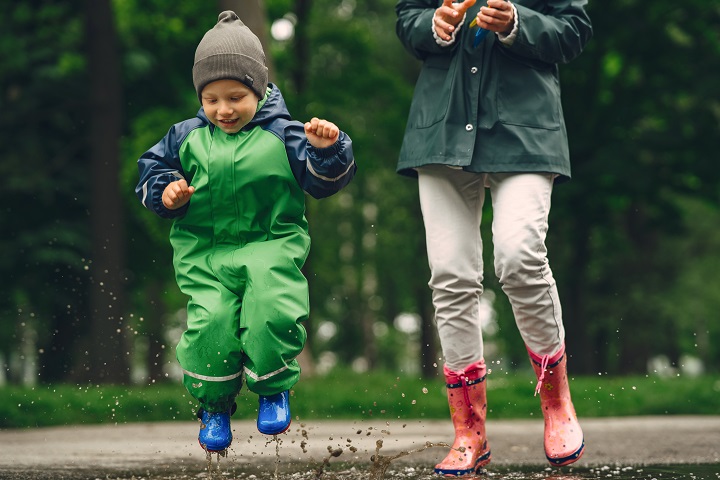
(321, 172)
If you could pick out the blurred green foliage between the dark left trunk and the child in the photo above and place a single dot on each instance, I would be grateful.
(159, 38)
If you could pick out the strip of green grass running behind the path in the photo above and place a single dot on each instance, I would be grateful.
(346, 395)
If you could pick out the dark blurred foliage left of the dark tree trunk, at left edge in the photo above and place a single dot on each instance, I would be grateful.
(45, 194)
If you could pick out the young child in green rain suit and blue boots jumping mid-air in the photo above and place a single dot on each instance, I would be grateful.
(234, 180)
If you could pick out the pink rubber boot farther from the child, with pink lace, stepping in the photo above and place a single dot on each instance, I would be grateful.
(564, 442)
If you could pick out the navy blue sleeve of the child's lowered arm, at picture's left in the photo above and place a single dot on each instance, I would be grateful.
(160, 166)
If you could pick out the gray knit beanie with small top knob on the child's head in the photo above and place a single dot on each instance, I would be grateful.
(230, 51)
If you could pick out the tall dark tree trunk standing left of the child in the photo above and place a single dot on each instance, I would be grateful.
(107, 360)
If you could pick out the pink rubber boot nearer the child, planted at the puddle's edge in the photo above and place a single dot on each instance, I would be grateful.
(467, 398)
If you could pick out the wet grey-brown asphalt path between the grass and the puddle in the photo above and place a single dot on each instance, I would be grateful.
(150, 447)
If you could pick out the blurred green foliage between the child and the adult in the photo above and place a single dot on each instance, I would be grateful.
(345, 64)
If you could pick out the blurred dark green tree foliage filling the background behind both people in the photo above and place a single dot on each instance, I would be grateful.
(634, 239)
